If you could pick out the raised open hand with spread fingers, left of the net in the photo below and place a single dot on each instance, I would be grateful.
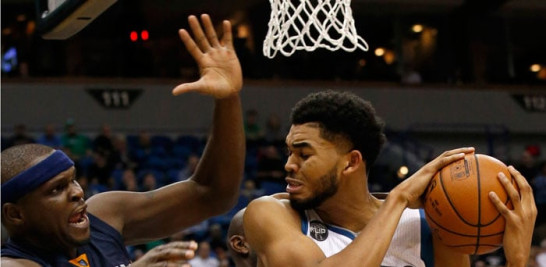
(219, 67)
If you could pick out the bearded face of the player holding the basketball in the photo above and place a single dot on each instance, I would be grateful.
(313, 166)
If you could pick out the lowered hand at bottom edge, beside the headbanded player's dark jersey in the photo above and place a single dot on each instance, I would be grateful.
(171, 254)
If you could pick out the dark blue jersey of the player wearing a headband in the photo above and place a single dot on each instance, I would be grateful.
(105, 249)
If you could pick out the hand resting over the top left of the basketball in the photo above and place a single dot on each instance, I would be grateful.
(413, 188)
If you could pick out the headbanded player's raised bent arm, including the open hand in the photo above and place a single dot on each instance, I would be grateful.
(214, 187)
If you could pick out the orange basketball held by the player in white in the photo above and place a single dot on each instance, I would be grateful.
(457, 205)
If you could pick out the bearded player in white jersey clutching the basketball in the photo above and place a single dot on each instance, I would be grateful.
(331, 219)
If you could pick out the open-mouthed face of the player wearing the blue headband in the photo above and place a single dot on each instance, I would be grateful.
(55, 213)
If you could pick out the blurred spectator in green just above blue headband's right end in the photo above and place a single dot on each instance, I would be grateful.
(76, 145)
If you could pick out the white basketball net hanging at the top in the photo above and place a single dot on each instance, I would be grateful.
(309, 24)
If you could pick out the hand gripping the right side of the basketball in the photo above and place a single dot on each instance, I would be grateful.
(520, 221)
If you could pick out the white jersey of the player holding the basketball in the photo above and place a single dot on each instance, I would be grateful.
(411, 244)
